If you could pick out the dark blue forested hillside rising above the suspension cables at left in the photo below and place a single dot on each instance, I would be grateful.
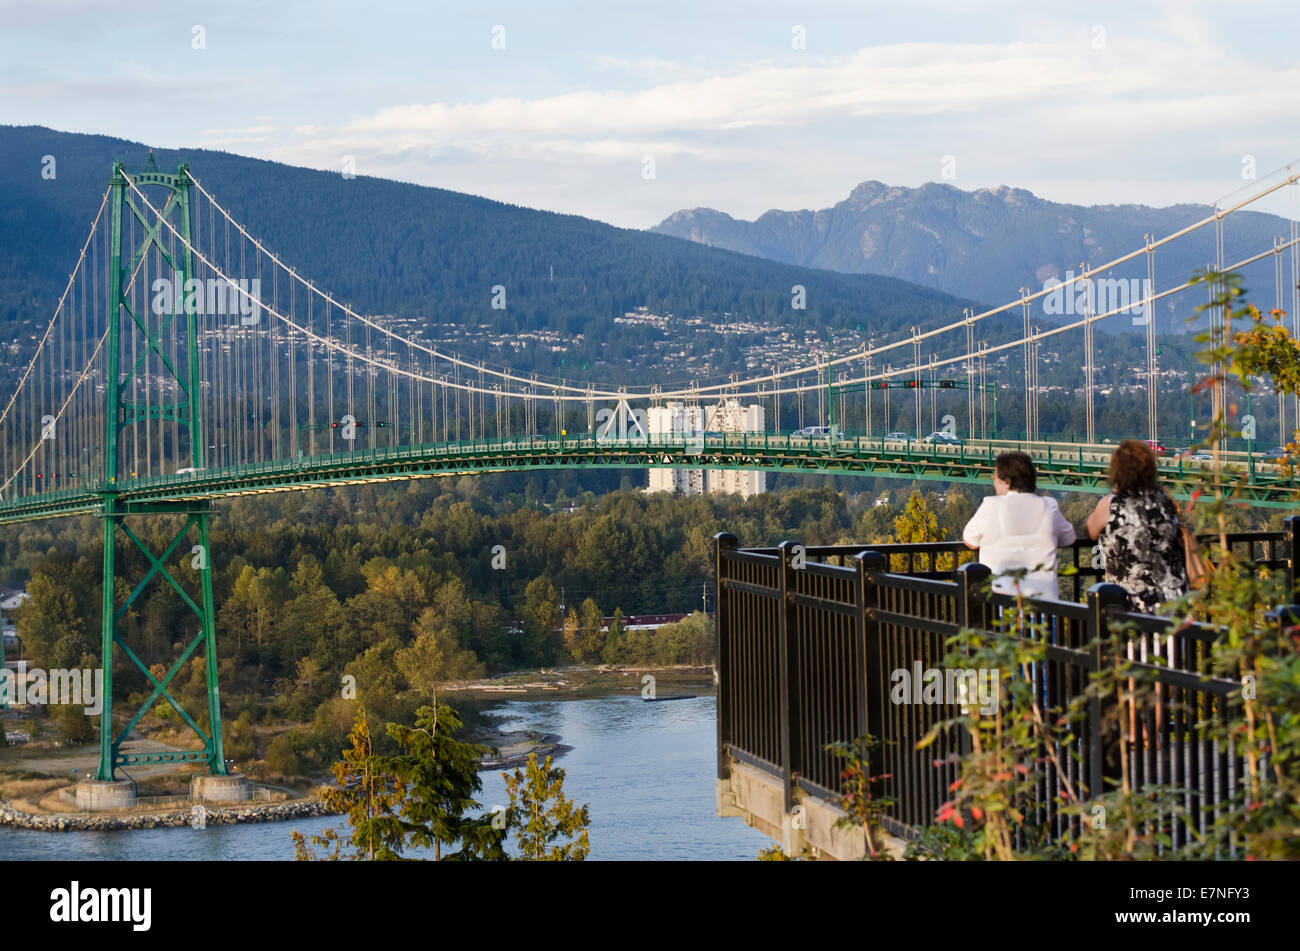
(388, 247)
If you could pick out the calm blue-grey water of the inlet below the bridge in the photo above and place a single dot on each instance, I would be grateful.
(644, 770)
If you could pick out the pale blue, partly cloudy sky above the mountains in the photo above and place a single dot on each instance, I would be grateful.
(627, 112)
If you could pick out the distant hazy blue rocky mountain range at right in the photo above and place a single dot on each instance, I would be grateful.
(983, 245)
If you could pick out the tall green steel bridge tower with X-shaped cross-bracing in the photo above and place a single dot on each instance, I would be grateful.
(123, 409)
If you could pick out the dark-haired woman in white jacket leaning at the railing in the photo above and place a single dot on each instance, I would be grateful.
(1017, 531)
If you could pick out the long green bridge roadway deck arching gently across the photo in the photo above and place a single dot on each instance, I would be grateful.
(1069, 467)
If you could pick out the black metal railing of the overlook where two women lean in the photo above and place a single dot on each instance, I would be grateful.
(809, 640)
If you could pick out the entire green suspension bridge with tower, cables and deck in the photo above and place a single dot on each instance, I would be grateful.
(187, 363)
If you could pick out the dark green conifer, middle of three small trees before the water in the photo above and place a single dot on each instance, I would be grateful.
(441, 778)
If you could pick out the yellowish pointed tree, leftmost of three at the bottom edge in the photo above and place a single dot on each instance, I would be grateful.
(369, 793)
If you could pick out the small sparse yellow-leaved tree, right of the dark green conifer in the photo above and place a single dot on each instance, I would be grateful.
(544, 819)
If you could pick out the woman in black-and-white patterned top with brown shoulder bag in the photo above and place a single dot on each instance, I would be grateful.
(1139, 531)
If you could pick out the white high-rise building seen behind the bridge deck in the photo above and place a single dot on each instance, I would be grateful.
(679, 422)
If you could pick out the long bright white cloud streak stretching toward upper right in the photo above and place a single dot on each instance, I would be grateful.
(909, 80)
